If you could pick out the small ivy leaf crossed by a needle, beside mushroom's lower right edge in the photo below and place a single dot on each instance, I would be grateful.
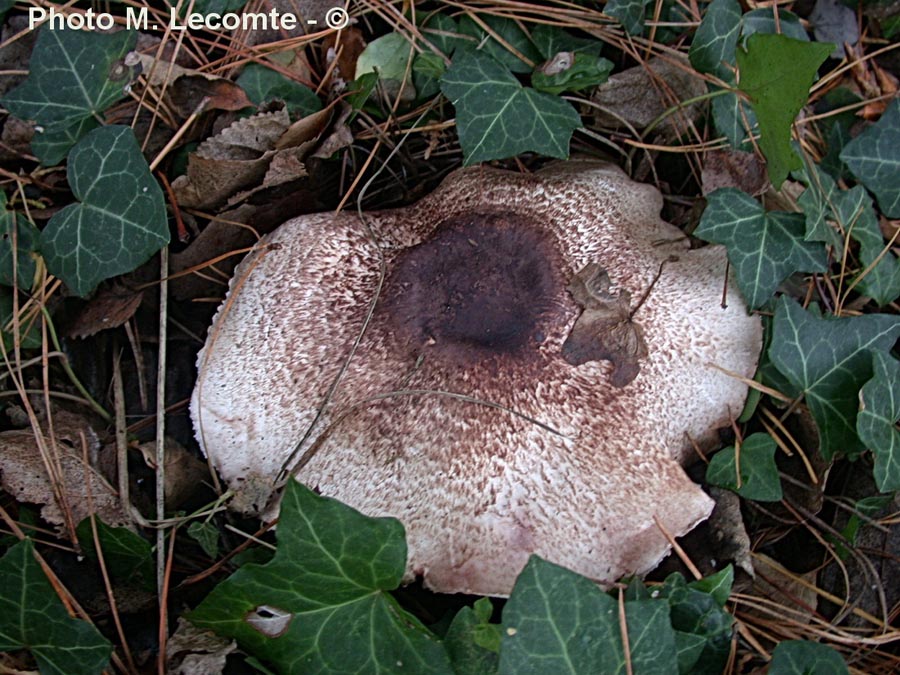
(758, 471)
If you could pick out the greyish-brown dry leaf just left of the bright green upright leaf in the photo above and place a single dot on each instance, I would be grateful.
(639, 95)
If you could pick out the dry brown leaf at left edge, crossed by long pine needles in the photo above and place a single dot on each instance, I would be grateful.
(25, 477)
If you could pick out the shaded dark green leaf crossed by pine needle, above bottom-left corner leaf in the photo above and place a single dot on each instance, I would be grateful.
(128, 556)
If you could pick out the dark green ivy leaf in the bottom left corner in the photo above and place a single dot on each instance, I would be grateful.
(33, 617)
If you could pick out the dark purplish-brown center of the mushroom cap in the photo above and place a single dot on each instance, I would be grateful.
(483, 285)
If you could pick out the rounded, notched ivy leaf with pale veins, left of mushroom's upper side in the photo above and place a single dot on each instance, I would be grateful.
(120, 220)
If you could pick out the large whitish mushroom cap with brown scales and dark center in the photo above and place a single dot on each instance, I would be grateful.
(543, 353)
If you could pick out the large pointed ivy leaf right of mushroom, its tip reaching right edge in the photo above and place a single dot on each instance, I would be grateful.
(827, 360)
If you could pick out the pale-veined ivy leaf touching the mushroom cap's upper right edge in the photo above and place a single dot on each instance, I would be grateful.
(763, 247)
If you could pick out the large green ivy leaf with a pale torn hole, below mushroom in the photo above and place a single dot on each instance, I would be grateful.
(322, 604)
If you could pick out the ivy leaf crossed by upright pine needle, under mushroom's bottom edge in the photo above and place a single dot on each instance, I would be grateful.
(559, 622)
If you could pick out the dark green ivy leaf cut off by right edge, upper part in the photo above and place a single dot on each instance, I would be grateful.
(874, 158)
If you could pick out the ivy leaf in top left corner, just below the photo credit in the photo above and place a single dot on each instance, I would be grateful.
(73, 77)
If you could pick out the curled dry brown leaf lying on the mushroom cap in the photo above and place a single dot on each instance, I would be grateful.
(605, 330)
